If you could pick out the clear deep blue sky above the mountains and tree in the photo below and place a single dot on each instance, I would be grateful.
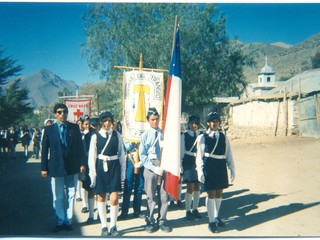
(49, 35)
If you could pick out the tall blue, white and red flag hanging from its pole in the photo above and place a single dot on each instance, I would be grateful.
(170, 158)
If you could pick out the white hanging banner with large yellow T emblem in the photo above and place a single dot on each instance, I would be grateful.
(141, 90)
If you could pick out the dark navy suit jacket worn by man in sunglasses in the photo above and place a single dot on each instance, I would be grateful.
(62, 162)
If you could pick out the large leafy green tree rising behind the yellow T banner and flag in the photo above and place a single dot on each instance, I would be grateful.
(116, 34)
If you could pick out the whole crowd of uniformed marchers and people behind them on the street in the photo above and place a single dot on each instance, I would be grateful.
(90, 161)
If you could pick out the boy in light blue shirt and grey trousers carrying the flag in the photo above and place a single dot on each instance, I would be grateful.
(149, 152)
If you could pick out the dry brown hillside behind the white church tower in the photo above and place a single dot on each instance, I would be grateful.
(285, 60)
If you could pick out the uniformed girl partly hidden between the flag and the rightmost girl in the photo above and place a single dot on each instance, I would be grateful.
(188, 163)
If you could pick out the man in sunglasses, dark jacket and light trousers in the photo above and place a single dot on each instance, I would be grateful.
(63, 141)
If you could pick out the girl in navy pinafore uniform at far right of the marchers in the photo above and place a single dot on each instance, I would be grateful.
(213, 157)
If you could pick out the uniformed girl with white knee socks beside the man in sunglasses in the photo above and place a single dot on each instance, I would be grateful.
(106, 170)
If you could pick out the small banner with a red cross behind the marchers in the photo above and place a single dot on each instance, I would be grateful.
(78, 108)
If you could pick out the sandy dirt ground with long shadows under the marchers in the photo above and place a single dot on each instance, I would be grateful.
(275, 194)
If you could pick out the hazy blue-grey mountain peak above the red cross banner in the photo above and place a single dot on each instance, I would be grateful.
(44, 87)
